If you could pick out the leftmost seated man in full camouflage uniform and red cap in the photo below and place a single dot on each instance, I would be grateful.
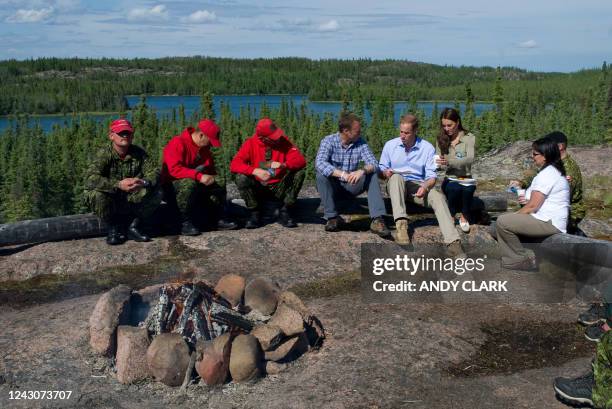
(121, 184)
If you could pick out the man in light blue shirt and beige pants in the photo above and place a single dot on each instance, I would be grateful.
(408, 163)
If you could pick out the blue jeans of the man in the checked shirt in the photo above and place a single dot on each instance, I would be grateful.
(331, 188)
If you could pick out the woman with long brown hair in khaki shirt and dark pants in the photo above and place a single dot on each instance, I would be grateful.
(455, 148)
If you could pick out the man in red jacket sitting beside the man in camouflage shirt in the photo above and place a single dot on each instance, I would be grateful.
(188, 177)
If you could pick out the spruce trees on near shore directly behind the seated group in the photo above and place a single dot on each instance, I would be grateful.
(41, 174)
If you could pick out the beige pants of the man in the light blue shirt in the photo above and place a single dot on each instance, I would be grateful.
(400, 191)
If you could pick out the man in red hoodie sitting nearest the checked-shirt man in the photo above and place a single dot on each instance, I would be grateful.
(269, 166)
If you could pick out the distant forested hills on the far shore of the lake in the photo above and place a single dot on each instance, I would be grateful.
(66, 85)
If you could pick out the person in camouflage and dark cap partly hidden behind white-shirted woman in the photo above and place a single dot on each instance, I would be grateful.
(574, 177)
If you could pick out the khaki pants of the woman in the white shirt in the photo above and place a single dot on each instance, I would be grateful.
(509, 225)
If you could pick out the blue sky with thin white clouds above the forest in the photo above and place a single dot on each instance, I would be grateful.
(541, 35)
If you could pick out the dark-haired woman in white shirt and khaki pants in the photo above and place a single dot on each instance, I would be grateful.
(545, 212)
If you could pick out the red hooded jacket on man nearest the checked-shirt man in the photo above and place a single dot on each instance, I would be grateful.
(253, 152)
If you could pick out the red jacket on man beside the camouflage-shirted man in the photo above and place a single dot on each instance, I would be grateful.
(182, 156)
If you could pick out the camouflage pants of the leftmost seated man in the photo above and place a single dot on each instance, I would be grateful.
(112, 206)
